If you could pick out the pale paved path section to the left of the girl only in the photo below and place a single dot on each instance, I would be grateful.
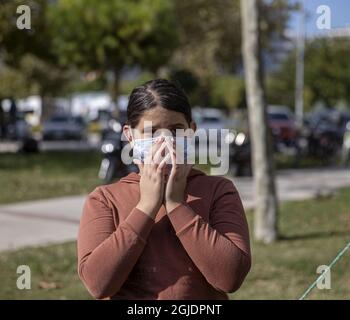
(39, 222)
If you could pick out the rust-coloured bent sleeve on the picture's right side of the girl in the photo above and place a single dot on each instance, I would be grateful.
(219, 248)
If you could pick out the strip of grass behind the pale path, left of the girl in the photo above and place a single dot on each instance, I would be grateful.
(47, 174)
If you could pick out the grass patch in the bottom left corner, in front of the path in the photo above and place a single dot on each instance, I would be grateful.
(53, 273)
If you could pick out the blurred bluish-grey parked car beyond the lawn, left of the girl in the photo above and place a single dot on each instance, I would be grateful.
(64, 127)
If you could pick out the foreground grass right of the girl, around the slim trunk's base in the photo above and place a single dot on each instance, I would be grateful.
(312, 233)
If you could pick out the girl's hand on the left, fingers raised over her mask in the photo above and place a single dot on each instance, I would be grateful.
(152, 179)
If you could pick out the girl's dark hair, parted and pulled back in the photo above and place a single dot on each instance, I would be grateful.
(153, 93)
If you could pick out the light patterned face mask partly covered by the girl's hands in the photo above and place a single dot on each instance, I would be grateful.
(142, 147)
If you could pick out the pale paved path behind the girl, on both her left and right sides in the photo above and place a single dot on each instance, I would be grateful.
(56, 220)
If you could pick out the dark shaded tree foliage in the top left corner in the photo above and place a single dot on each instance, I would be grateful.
(29, 64)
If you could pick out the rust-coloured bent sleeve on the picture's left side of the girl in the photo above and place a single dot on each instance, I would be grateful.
(106, 253)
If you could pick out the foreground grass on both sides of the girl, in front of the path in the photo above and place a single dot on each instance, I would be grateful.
(312, 233)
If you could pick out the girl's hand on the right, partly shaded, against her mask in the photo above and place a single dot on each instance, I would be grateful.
(176, 184)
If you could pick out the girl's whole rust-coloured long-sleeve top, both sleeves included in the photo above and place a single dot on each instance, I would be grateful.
(199, 250)
